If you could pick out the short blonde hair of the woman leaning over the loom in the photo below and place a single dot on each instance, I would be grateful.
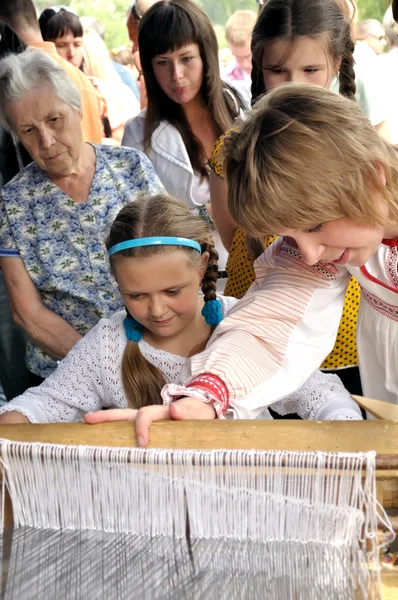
(305, 156)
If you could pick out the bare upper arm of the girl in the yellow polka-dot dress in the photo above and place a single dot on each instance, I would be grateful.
(225, 224)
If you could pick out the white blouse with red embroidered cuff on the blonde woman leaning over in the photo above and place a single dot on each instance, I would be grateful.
(279, 333)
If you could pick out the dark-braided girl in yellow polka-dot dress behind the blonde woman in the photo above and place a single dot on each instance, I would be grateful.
(300, 42)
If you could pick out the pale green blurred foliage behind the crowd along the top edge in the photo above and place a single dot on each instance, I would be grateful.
(112, 13)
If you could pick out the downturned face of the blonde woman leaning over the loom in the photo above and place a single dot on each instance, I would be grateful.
(341, 242)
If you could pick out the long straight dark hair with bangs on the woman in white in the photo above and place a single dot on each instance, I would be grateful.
(167, 26)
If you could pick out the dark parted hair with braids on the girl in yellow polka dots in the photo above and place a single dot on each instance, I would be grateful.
(304, 18)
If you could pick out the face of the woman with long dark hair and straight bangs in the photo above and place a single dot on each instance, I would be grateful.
(180, 73)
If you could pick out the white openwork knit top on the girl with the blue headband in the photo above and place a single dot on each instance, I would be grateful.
(89, 378)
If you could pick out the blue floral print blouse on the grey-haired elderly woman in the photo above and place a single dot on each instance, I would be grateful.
(62, 242)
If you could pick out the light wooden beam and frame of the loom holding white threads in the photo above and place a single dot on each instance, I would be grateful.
(344, 436)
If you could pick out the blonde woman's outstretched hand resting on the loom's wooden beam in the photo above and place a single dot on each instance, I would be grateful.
(185, 408)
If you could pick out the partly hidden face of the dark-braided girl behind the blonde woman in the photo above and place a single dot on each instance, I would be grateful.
(304, 60)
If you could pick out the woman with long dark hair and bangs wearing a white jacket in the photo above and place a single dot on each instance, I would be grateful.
(189, 106)
